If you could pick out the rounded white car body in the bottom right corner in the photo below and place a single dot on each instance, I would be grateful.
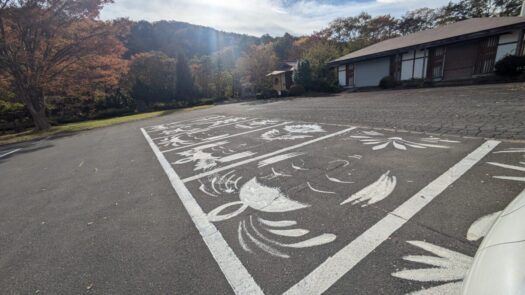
(499, 265)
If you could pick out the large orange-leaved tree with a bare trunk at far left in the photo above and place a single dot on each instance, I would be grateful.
(50, 46)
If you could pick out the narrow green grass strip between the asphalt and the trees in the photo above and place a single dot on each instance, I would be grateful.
(86, 125)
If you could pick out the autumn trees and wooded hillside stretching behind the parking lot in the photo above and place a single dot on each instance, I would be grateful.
(59, 62)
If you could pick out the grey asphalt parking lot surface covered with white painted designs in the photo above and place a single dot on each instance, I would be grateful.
(257, 198)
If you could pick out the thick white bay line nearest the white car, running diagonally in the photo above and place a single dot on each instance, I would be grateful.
(336, 266)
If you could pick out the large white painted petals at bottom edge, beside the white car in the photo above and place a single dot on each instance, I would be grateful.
(446, 266)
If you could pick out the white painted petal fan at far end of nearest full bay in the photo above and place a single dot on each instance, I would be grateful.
(379, 141)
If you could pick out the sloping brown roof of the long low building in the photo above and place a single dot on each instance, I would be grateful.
(466, 27)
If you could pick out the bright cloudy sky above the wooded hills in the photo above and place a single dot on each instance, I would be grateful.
(258, 17)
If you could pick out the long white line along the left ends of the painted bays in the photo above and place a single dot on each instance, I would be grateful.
(237, 275)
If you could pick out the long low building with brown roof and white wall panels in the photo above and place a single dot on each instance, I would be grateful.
(462, 50)
